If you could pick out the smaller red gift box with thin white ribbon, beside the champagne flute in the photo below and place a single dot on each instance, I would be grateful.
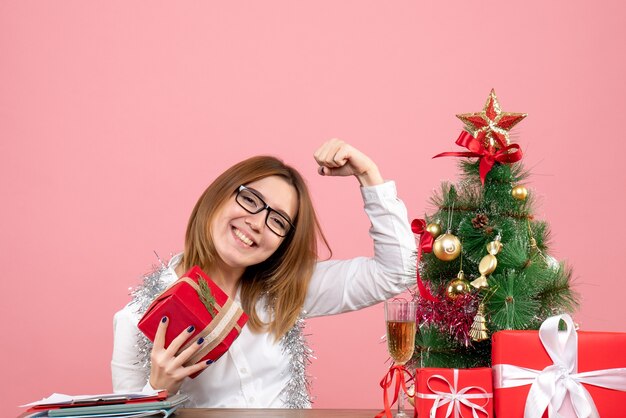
(454, 392)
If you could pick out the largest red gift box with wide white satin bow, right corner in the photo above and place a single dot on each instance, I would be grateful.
(537, 373)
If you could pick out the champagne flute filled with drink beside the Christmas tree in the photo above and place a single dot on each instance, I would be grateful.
(400, 319)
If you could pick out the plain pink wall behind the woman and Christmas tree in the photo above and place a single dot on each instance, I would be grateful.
(115, 115)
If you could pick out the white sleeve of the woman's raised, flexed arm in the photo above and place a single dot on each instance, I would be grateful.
(346, 285)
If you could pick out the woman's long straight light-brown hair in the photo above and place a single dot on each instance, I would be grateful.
(284, 277)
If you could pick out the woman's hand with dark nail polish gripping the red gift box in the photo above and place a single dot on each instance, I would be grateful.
(167, 371)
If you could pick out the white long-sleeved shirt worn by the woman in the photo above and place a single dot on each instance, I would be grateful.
(254, 372)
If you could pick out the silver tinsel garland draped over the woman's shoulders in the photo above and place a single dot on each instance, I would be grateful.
(296, 394)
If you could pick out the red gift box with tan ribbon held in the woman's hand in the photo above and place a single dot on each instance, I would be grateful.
(183, 306)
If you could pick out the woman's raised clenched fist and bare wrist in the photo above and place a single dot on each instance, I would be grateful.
(337, 158)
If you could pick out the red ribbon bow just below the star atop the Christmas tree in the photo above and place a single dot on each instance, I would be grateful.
(488, 156)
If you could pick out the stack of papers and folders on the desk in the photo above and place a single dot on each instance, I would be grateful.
(118, 405)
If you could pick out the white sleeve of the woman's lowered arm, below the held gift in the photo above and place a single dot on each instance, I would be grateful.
(126, 372)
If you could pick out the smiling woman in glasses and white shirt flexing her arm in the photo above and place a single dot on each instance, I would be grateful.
(254, 232)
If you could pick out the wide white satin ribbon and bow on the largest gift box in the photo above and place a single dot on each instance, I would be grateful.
(550, 386)
